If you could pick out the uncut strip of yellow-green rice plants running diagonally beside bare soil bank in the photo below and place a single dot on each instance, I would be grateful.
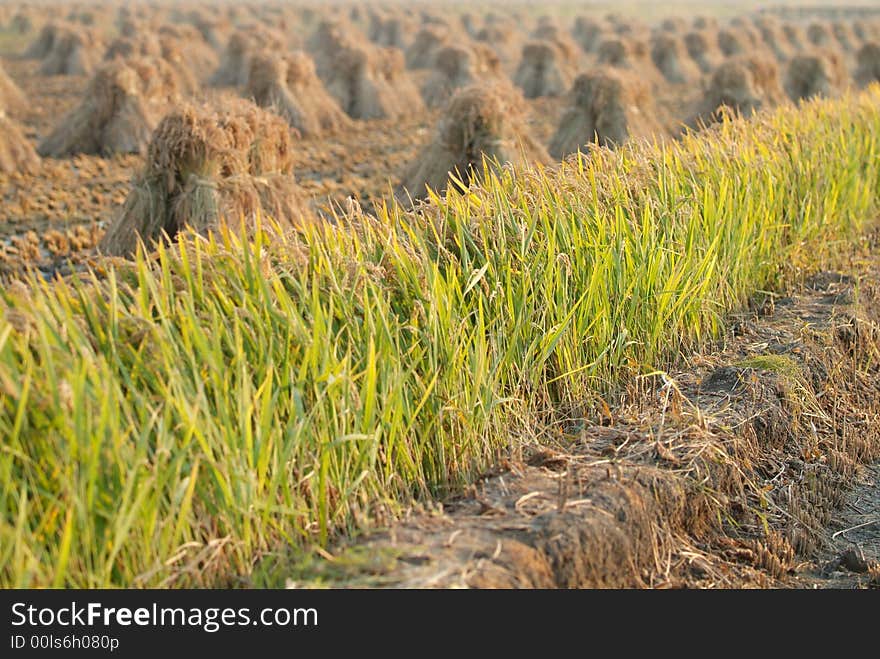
(185, 418)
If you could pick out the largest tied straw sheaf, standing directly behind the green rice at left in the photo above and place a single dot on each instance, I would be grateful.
(206, 168)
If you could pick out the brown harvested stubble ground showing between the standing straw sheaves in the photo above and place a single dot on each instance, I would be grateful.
(59, 212)
